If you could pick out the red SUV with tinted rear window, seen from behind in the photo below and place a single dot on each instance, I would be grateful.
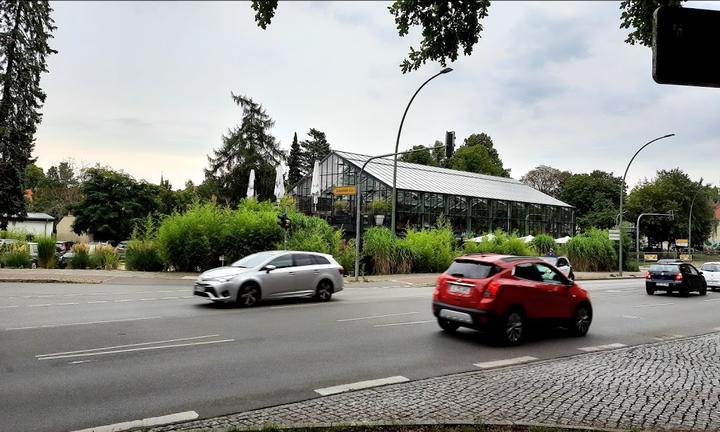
(501, 294)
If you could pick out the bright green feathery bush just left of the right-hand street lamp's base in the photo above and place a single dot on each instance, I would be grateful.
(592, 251)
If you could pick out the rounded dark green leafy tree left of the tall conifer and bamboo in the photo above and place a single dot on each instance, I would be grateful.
(112, 203)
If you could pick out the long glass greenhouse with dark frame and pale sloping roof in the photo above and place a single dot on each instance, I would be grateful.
(472, 203)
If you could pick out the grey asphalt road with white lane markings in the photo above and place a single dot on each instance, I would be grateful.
(78, 356)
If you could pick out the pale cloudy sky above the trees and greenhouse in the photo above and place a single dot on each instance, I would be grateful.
(146, 87)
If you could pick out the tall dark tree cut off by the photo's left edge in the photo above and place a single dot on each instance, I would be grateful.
(25, 28)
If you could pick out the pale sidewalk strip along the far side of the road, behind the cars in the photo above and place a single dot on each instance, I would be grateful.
(100, 276)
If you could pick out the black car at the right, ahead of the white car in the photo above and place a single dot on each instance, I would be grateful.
(679, 277)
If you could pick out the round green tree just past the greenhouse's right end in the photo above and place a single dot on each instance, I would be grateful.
(595, 196)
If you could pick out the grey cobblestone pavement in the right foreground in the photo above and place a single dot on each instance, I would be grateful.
(669, 385)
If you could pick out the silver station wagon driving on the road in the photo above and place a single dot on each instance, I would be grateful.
(272, 275)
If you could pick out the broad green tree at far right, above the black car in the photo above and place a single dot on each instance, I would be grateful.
(673, 190)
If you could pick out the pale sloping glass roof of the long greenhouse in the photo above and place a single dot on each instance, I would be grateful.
(452, 182)
